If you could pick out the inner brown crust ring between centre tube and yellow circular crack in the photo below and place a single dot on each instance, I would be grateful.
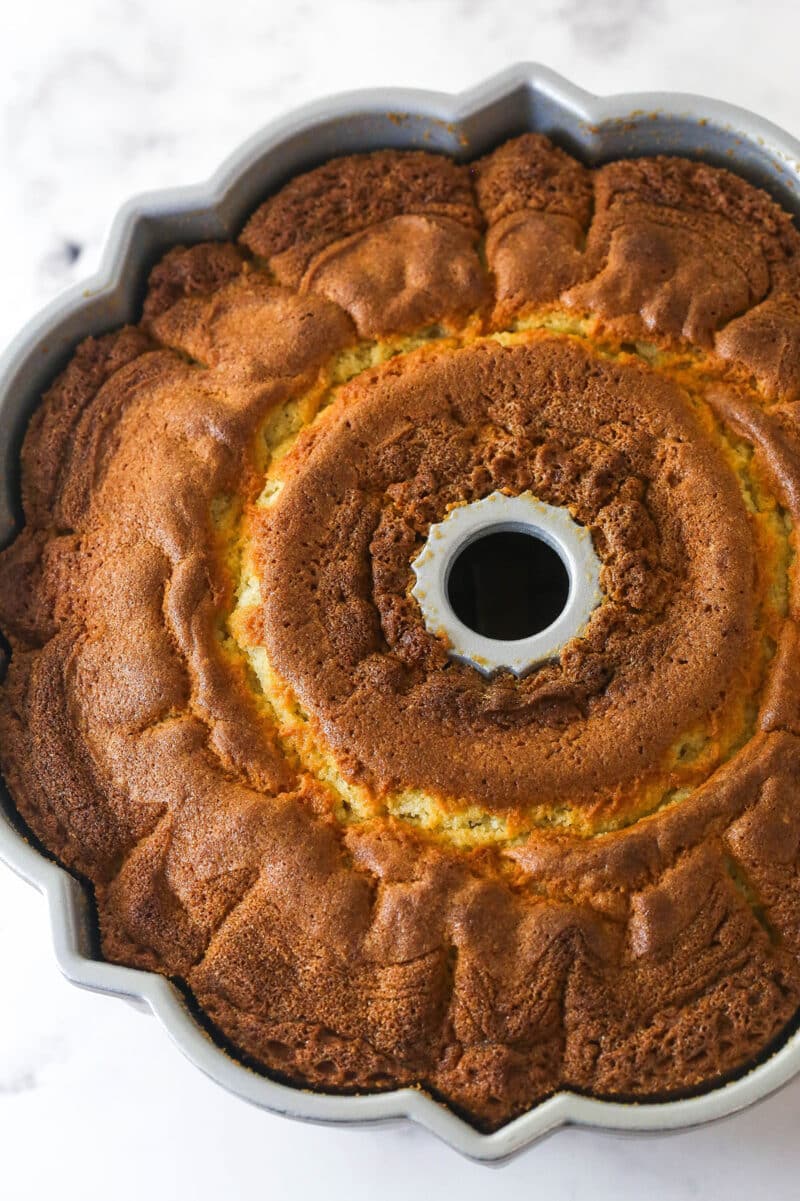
(616, 444)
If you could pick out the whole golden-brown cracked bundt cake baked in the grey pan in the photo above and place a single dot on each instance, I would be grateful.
(369, 864)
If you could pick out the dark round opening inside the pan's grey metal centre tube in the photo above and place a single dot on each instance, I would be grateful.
(509, 584)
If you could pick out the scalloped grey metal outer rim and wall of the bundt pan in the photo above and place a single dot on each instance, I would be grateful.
(522, 99)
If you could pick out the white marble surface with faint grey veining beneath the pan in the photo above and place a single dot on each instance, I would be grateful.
(100, 100)
